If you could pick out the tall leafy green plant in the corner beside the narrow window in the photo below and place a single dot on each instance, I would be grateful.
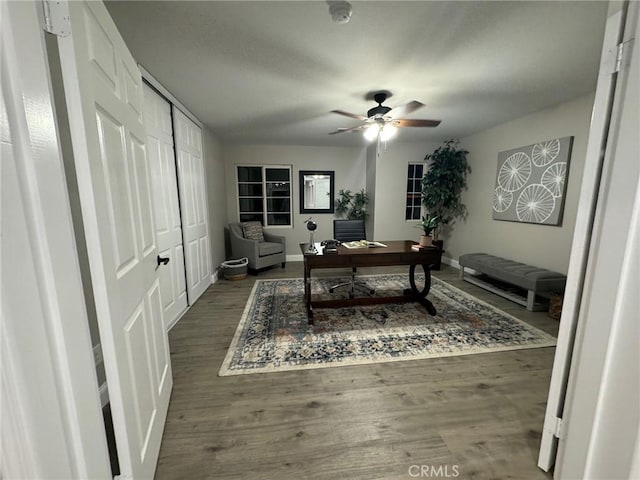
(444, 182)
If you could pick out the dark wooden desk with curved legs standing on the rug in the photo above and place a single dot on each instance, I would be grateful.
(397, 252)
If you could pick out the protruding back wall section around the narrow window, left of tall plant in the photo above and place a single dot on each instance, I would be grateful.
(391, 189)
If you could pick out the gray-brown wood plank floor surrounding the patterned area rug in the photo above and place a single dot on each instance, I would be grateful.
(477, 416)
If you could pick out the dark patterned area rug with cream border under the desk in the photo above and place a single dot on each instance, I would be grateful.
(274, 336)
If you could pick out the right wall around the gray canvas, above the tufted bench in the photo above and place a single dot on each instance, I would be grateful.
(539, 245)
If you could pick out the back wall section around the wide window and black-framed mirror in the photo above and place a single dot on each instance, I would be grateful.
(348, 163)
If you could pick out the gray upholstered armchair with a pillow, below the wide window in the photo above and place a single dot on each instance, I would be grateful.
(261, 254)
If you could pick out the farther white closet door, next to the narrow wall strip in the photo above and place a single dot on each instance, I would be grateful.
(193, 204)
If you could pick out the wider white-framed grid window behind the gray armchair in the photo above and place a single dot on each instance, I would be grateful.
(264, 194)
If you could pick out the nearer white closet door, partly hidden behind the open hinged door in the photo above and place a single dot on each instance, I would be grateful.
(164, 184)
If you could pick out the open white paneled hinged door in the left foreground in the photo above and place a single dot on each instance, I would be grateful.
(104, 95)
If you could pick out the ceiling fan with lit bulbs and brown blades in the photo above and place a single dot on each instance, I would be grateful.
(384, 120)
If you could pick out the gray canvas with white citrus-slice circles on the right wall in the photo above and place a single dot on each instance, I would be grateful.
(531, 182)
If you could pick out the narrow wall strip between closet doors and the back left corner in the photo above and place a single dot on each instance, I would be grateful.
(216, 195)
